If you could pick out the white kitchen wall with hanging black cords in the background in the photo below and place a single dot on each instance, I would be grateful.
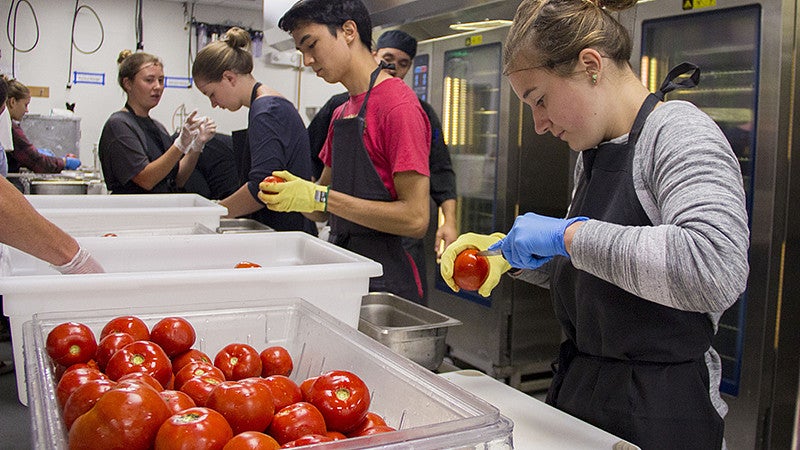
(164, 34)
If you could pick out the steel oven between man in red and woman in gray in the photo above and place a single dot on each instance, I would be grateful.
(503, 168)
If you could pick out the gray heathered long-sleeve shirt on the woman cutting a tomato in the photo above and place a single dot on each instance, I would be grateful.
(688, 180)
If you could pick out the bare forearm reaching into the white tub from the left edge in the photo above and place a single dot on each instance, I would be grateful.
(25, 229)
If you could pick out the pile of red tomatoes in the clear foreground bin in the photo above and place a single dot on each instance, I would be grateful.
(140, 388)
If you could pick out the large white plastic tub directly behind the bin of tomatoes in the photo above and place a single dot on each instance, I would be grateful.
(188, 270)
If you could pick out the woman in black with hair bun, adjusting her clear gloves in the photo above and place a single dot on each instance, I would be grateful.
(136, 152)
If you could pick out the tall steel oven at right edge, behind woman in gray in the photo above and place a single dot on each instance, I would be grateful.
(747, 53)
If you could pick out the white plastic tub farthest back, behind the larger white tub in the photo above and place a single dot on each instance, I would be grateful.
(111, 213)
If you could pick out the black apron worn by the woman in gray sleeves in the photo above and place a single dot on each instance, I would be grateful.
(629, 366)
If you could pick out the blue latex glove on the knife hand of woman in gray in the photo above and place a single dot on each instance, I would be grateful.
(534, 240)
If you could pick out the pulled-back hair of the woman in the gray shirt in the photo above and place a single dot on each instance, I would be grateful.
(550, 34)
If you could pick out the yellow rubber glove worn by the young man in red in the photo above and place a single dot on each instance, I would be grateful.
(294, 195)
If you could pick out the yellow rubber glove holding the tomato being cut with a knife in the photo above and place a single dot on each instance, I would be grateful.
(497, 264)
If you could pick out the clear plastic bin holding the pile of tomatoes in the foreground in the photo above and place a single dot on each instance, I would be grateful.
(428, 411)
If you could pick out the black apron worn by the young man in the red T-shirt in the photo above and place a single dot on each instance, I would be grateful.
(354, 174)
